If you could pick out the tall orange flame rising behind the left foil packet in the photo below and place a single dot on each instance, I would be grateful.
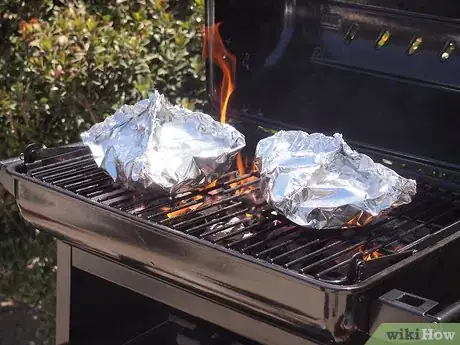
(226, 61)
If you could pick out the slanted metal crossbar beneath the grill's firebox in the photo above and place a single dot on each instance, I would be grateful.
(154, 287)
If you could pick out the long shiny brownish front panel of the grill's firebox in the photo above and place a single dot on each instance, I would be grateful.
(180, 258)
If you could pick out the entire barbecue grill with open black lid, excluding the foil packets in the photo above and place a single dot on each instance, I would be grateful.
(218, 265)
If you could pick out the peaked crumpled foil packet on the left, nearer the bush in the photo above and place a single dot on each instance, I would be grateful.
(154, 145)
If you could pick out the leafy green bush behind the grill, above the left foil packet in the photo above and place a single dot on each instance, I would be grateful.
(67, 71)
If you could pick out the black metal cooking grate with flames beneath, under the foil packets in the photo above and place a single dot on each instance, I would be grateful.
(232, 213)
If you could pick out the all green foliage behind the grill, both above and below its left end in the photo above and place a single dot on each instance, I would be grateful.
(65, 65)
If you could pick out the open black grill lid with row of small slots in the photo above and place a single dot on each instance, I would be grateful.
(385, 73)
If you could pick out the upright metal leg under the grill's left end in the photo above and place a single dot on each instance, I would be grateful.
(64, 259)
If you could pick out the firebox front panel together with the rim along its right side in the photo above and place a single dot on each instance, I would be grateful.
(220, 273)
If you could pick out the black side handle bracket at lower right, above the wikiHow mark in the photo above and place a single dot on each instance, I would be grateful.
(400, 306)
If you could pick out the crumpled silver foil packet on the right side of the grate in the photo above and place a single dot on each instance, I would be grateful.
(318, 181)
